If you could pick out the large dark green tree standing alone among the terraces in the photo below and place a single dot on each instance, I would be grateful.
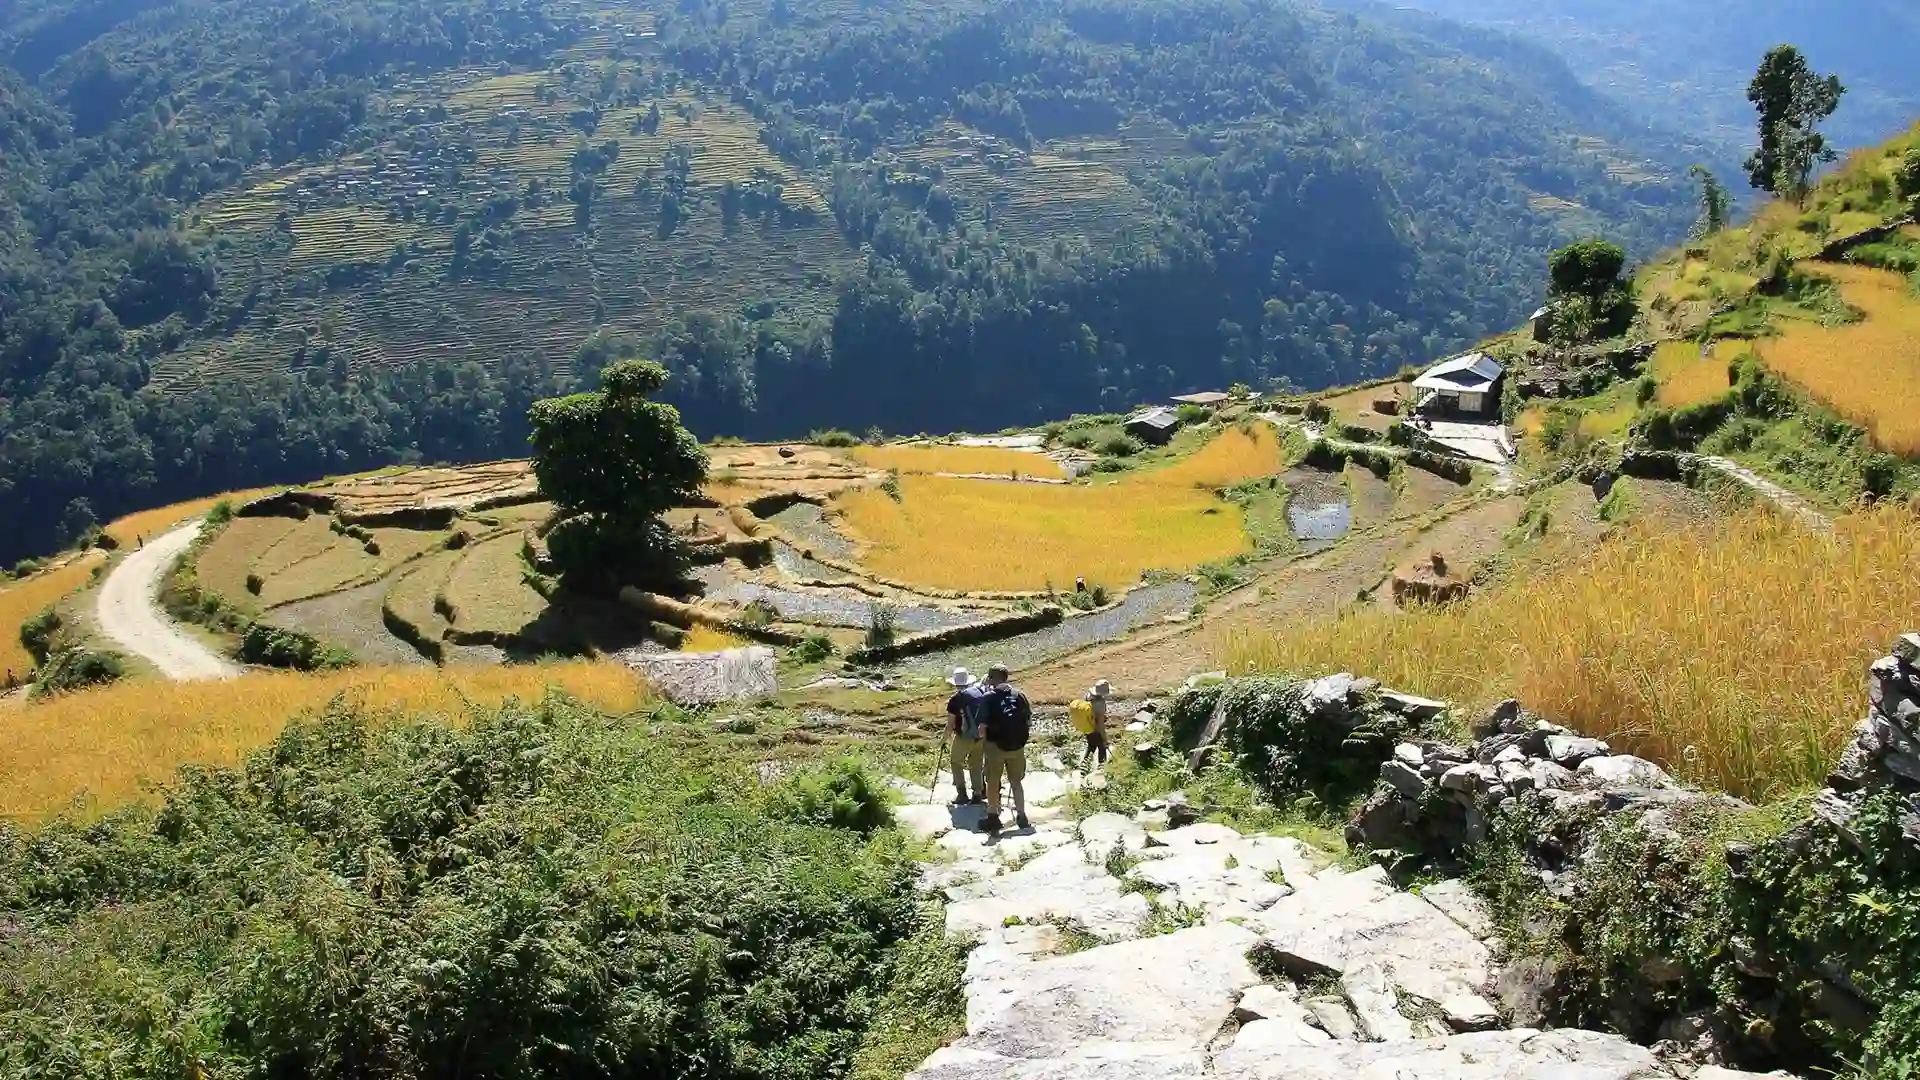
(613, 462)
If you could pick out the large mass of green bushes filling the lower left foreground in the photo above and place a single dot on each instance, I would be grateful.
(539, 893)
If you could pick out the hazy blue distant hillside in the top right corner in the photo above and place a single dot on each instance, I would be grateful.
(1687, 64)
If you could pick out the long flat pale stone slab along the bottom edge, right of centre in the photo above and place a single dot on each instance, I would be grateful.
(1481, 1056)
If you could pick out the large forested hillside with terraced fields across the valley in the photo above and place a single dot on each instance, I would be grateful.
(272, 239)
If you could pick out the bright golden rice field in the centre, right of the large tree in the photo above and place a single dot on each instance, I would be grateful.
(996, 535)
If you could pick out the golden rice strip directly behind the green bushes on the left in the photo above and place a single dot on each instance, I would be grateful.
(99, 750)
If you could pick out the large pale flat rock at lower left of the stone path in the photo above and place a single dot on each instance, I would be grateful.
(1172, 991)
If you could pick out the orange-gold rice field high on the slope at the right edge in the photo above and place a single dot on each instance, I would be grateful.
(1867, 372)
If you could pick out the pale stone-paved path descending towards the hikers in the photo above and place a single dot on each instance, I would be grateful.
(1282, 968)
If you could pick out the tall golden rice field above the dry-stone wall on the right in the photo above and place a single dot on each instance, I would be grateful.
(1679, 647)
